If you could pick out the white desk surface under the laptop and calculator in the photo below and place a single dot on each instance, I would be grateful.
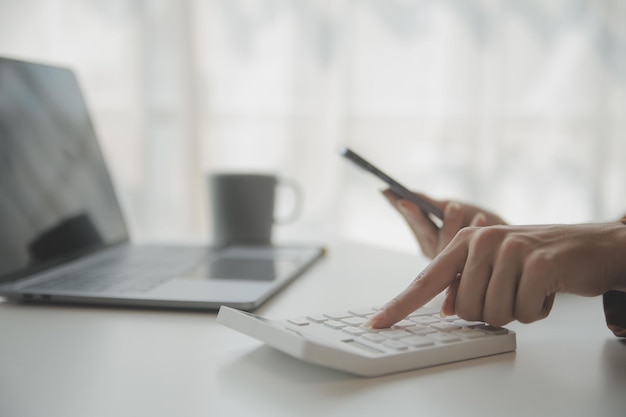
(77, 361)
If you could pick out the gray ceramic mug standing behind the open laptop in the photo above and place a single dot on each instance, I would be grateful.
(243, 207)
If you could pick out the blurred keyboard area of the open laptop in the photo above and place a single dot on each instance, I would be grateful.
(132, 270)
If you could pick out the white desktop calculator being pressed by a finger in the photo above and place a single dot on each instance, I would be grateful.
(339, 341)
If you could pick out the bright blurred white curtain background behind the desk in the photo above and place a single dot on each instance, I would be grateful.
(515, 105)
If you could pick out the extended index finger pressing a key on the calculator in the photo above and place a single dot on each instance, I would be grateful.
(437, 276)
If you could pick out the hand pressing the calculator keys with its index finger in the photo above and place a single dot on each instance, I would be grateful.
(499, 274)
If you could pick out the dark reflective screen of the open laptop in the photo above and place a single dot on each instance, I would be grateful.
(56, 197)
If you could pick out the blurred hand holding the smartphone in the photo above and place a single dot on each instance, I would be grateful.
(455, 217)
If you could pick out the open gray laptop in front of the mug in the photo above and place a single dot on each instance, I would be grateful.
(63, 234)
